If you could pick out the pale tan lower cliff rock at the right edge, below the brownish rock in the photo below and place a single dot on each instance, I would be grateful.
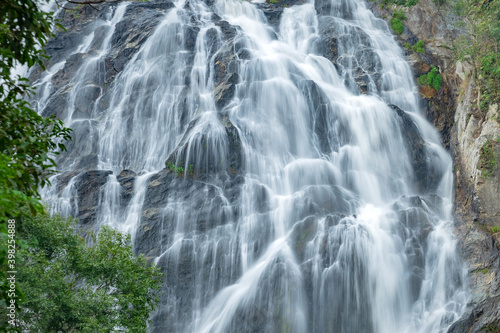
(477, 213)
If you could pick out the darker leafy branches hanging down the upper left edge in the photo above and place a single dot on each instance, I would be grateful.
(27, 140)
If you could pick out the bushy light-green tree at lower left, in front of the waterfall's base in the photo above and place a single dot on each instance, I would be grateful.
(72, 287)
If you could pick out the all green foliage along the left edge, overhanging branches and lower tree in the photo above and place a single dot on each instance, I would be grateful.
(56, 282)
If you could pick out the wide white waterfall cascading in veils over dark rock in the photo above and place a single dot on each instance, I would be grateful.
(306, 201)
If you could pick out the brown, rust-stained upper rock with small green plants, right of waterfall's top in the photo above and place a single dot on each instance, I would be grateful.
(437, 29)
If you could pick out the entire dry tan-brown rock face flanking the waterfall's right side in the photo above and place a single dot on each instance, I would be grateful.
(465, 130)
